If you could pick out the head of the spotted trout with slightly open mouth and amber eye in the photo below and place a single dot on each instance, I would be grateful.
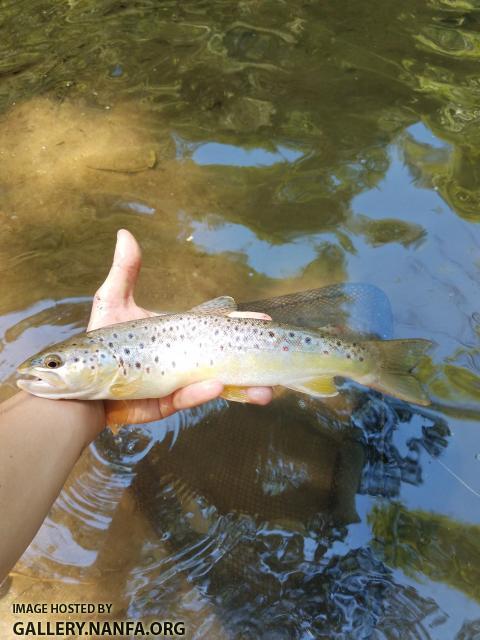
(79, 368)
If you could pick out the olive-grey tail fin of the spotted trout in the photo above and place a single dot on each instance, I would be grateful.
(396, 361)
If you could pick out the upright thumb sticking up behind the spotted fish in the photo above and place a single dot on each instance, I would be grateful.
(120, 282)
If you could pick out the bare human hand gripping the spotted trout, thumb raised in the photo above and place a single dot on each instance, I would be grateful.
(113, 303)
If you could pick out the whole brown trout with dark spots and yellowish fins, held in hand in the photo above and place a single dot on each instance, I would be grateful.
(154, 356)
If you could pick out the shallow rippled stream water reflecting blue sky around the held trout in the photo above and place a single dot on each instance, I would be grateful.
(255, 148)
